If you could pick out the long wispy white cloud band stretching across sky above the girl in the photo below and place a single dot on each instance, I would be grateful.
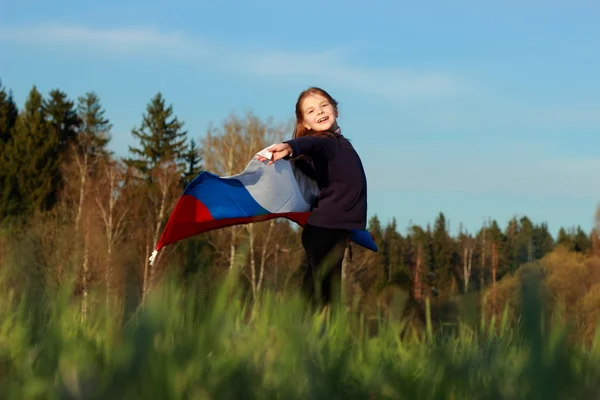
(430, 100)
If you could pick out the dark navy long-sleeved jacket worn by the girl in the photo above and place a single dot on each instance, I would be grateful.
(339, 173)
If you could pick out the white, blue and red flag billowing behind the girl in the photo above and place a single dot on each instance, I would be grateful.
(259, 193)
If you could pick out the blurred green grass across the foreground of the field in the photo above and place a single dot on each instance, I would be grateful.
(180, 347)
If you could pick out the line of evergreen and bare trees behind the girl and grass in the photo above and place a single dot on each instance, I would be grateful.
(99, 216)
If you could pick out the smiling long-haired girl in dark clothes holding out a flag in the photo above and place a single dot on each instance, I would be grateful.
(320, 151)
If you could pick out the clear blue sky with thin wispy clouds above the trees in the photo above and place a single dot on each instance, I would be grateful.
(470, 108)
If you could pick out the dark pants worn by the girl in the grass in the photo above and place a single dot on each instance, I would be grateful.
(325, 251)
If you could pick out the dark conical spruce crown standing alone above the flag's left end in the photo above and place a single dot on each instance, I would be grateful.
(162, 138)
